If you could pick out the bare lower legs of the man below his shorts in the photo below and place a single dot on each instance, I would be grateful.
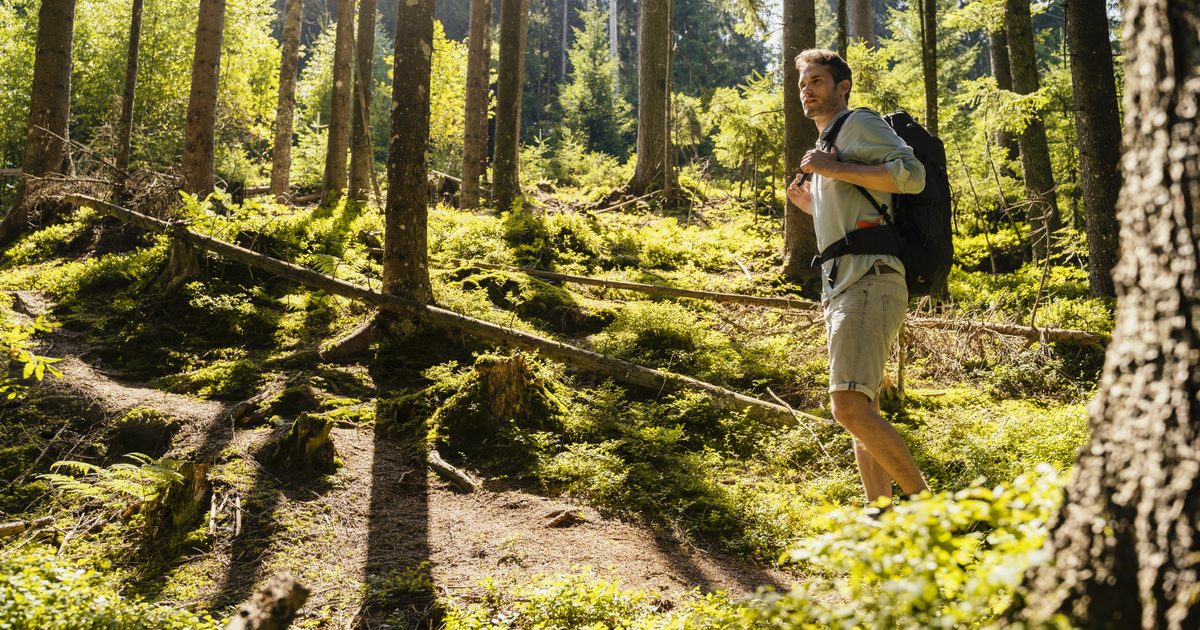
(884, 445)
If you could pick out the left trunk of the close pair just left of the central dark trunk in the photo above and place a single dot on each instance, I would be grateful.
(334, 182)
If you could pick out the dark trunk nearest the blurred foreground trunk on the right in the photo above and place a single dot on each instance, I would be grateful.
(1097, 135)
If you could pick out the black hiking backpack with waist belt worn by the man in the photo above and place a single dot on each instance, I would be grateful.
(921, 233)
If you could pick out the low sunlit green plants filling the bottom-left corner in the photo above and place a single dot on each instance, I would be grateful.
(41, 590)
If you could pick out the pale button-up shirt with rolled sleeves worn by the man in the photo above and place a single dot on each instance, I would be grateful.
(866, 139)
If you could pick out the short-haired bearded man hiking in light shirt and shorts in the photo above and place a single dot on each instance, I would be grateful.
(863, 295)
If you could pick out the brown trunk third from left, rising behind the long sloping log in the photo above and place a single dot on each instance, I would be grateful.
(202, 105)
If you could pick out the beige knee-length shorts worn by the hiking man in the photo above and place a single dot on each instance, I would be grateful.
(861, 325)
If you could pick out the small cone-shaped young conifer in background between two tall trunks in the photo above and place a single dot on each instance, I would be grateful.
(592, 111)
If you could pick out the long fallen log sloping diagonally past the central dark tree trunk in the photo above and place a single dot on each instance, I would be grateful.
(616, 369)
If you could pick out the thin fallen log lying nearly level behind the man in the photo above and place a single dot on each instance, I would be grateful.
(1057, 335)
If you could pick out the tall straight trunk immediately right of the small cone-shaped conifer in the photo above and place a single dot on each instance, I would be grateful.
(655, 44)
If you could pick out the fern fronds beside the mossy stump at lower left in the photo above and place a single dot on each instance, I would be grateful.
(118, 487)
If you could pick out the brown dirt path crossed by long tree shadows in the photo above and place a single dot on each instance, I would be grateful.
(352, 537)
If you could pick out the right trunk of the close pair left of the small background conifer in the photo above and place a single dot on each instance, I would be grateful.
(506, 161)
